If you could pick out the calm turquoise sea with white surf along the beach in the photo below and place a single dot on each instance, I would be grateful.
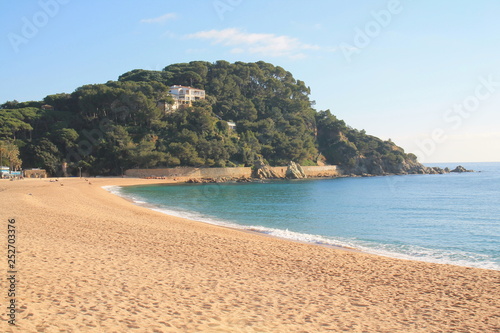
(450, 218)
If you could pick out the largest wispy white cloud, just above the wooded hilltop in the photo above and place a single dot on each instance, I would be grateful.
(264, 44)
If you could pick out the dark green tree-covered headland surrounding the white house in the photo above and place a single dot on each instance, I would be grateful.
(106, 128)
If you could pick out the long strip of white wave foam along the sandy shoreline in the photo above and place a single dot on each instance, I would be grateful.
(407, 252)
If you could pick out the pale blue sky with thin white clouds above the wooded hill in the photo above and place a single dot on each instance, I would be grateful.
(425, 74)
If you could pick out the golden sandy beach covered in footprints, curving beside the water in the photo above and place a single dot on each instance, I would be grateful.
(89, 261)
